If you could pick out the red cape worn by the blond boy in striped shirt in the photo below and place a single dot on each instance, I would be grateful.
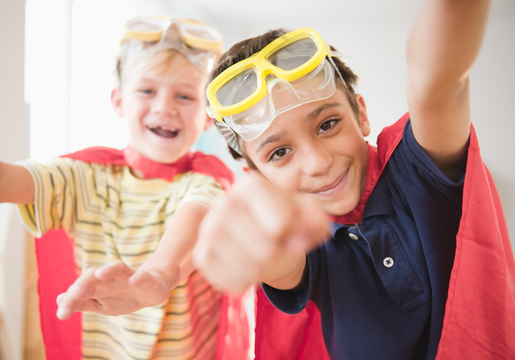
(56, 266)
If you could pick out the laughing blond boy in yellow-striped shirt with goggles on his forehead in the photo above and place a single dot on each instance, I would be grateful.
(116, 205)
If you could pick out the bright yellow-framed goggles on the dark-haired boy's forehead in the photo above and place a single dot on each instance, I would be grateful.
(293, 70)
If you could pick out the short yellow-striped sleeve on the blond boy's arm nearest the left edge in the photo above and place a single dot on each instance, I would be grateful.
(54, 196)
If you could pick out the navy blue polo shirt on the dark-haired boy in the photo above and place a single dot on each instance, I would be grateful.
(381, 286)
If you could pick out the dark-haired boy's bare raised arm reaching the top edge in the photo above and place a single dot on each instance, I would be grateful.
(442, 47)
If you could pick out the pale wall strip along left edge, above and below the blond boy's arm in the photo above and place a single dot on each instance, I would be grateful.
(14, 145)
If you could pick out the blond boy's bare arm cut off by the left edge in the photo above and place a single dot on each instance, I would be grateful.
(16, 184)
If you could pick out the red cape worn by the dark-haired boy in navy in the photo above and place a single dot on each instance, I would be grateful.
(479, 320)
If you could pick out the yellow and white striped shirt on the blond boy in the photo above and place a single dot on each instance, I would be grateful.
(111, 215)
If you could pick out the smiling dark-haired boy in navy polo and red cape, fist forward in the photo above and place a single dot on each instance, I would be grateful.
(397, 276)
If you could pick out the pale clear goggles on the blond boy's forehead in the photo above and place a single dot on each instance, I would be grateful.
(199, 42)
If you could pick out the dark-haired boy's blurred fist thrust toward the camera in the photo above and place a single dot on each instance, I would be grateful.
(259, 234)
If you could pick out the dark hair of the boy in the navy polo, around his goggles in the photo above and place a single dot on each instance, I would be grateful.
(246, 48)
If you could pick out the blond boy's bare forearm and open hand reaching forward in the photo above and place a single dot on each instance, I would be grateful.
(115, 289)
